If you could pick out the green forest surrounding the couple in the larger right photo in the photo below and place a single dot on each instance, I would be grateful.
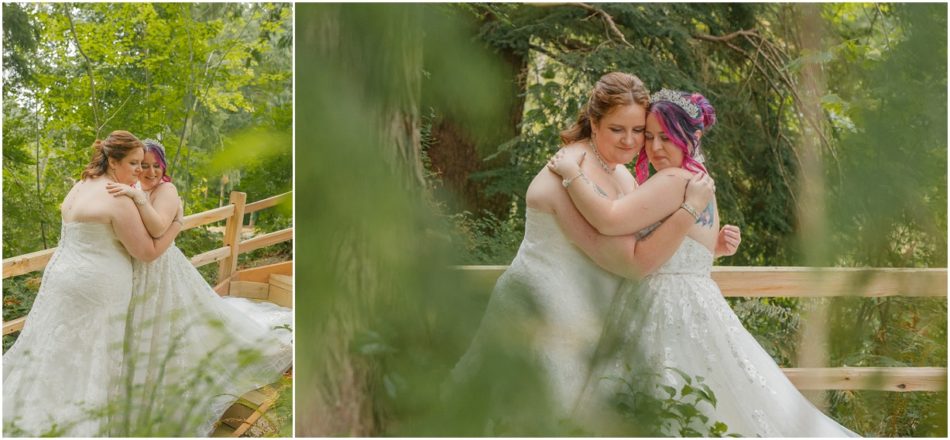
(830, 150)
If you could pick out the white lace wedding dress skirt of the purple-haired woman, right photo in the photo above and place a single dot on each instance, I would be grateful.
(678, 318)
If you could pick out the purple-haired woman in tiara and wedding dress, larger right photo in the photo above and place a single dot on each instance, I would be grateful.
(674, 328)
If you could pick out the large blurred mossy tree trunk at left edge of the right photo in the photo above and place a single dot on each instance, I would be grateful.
(363, 141)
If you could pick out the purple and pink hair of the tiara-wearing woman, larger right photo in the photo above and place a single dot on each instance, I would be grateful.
(680, 128)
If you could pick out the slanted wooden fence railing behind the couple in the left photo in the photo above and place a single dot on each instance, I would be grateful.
(227, 255)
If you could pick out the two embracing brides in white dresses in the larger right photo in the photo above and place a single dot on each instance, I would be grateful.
(612, 281)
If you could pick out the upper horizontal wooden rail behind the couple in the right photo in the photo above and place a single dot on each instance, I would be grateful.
(795, 281)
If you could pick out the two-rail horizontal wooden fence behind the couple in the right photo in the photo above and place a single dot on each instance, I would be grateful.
(820, 282)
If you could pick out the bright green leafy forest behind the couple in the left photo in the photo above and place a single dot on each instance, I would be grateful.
(212, 82)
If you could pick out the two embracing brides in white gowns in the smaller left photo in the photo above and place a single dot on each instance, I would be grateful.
(125, 338)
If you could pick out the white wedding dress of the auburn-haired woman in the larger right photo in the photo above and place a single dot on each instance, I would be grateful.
(552, 298)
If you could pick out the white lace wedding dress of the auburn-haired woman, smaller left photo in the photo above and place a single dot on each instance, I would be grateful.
(61, 376)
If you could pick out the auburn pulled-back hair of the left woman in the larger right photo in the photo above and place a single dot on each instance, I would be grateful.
(611, 90)
